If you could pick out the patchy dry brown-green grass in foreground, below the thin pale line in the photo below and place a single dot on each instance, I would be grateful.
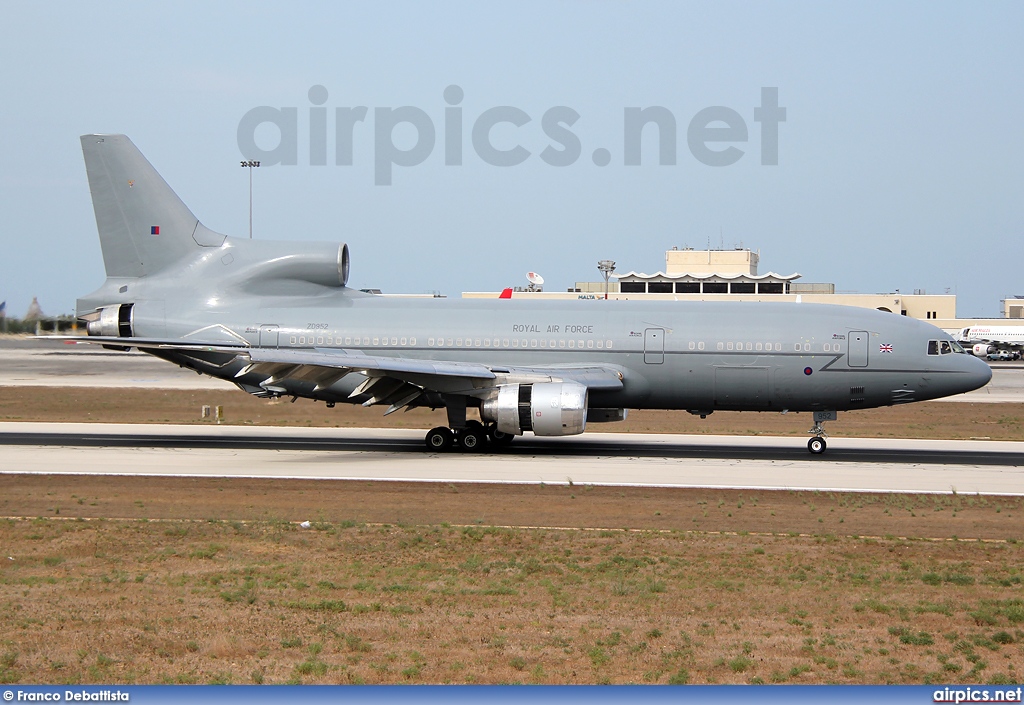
(323, 606)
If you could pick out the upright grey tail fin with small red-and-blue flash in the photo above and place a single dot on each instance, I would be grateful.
(144, 226)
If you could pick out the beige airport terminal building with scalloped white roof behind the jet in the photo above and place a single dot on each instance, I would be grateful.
(733, 276)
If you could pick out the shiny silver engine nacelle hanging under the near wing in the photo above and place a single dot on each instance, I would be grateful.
(546, 408)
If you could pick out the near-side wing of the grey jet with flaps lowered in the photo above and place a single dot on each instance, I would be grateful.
(395, 381)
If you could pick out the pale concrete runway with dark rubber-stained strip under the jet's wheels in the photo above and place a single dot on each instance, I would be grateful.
(613, 460)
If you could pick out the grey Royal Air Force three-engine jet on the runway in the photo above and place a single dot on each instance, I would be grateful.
(278, 319)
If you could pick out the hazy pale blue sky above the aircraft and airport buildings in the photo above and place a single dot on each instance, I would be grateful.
(900, 160)
